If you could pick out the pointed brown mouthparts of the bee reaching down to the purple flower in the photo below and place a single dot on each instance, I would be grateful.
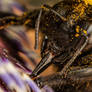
(44, 63)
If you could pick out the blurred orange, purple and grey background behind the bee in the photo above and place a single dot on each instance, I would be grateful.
(18, 40)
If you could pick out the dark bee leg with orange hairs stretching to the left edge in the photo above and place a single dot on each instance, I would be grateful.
(26, 19)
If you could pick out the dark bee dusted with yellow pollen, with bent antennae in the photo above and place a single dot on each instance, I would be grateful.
(64, 26)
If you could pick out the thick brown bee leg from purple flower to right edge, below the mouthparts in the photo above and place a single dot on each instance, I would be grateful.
(76, 77)
